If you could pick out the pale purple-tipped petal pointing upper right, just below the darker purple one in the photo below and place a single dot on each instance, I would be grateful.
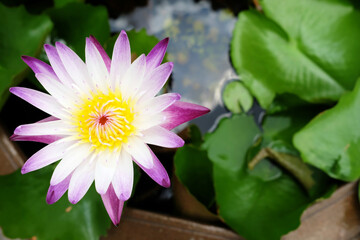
(156, 80)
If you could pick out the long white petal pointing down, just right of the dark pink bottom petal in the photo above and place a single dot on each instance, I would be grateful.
(124, 177)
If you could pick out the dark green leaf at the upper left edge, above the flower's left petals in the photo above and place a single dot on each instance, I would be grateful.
(20, 34)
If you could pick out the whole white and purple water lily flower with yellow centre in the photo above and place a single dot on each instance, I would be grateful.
(103, 114)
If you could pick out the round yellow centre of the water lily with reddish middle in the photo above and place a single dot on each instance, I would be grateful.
(104, 120)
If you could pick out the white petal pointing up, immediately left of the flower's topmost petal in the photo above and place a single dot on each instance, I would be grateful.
(96, 66)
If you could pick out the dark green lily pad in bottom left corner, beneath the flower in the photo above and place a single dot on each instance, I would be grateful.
(24, 212)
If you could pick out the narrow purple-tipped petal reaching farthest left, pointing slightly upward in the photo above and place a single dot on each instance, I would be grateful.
(40, 100)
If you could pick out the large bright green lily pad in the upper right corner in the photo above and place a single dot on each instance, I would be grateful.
(295, 47)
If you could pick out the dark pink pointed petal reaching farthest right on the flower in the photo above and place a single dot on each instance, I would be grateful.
(181, 112)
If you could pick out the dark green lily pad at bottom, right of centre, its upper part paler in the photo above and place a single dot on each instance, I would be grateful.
(265, 201)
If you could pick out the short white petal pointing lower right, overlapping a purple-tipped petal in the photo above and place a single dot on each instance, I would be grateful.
(139, 150)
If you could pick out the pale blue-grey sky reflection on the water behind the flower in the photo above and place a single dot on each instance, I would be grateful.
(199, 44)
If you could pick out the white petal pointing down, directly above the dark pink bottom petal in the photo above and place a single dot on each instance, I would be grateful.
(104, 172)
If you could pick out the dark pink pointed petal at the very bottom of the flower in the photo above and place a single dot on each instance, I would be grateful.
(112, 205)
